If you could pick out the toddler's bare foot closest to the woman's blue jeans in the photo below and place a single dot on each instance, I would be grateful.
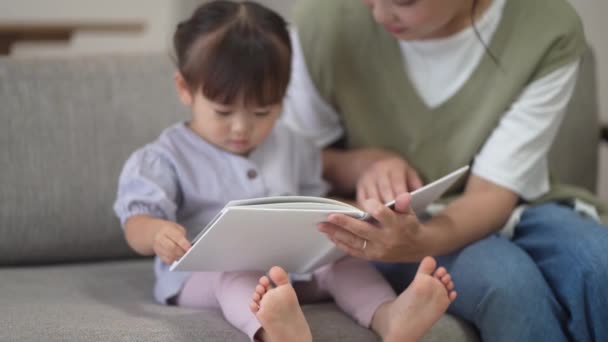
(425, 300)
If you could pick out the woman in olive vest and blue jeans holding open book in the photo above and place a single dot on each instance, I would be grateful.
(420, 87)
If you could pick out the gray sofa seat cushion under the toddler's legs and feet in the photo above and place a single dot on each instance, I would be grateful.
(112, 301)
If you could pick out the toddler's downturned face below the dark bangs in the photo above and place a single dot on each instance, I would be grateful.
(234, 128)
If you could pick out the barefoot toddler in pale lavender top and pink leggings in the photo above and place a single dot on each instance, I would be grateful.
(233, 63)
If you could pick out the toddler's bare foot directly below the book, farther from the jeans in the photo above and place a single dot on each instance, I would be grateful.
(278, 310)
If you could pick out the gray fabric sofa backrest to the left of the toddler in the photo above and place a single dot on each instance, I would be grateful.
(67, 127)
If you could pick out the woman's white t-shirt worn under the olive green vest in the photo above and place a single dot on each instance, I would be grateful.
(515, 154)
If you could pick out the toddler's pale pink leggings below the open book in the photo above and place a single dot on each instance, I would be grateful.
(355, 285)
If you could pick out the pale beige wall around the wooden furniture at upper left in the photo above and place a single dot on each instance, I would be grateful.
(157, 15)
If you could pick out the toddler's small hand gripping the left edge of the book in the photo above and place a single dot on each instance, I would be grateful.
(170, 242)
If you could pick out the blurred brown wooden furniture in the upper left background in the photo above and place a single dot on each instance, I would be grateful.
(11, 33)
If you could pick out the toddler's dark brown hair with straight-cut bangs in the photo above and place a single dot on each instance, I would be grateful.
(234, 51)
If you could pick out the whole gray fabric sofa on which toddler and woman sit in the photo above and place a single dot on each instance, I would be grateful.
(66, 274)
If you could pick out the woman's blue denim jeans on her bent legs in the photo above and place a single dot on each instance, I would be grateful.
(549, 283)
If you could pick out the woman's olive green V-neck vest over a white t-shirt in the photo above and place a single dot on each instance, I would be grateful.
(358, 68)
